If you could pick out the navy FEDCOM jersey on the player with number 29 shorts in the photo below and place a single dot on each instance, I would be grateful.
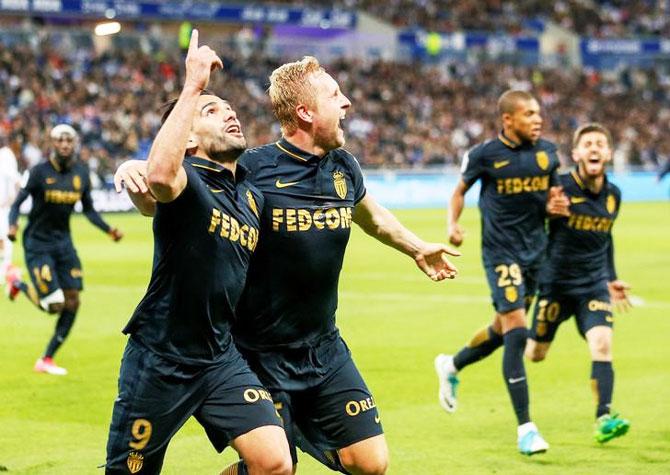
(515, 180)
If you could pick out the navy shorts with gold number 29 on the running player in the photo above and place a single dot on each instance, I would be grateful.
(512, 285)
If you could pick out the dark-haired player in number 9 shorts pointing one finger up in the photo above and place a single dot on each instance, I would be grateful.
(180, 359)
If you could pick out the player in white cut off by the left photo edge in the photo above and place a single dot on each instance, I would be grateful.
(10, 182)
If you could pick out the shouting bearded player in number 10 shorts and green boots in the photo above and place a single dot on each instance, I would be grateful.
(579, 277)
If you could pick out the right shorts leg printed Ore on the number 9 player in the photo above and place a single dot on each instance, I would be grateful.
(236, 403)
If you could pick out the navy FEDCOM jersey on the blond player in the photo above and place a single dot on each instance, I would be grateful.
(291, 294)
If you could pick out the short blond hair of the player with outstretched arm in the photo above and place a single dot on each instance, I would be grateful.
(289, 86)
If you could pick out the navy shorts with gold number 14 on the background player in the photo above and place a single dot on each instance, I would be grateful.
(54, 269)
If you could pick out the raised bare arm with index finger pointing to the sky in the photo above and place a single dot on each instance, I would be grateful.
(166, 177)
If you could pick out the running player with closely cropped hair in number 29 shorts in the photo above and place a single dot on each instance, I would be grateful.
(517, 171)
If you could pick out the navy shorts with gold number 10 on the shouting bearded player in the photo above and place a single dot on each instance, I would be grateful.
(591, 308)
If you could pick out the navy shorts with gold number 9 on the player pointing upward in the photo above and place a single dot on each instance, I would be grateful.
(157, 396)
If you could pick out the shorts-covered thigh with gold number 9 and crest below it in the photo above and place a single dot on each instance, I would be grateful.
(155, 398)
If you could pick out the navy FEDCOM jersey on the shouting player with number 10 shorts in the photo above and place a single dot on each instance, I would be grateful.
(580, 247)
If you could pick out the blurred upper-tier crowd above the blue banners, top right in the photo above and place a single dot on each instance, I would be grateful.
(598, 18)
